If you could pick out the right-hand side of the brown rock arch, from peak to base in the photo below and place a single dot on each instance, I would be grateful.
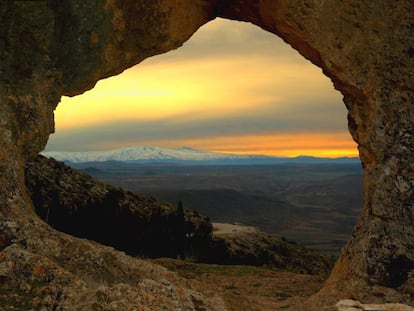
(366, 48)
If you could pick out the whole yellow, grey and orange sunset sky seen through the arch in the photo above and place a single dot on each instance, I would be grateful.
(231, 88)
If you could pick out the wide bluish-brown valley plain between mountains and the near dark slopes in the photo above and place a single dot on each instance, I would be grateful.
(315, 205)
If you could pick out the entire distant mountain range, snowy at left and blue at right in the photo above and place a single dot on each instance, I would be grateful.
(147, 154)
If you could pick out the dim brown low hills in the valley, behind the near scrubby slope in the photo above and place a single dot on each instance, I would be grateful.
(313, 215)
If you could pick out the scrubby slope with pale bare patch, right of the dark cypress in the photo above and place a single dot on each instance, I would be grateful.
(237, 244)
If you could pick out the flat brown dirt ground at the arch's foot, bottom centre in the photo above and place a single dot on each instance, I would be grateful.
(245, 287)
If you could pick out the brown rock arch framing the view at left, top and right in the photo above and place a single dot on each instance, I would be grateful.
(53, 48)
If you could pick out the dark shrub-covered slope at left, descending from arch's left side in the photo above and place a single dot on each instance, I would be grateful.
(76, 204)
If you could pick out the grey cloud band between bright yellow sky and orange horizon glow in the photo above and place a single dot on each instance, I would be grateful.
(195, 126)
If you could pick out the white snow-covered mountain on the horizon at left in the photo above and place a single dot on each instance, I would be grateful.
(142, 154)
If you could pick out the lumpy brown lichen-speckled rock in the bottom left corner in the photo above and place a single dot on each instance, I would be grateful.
(33, 282)
